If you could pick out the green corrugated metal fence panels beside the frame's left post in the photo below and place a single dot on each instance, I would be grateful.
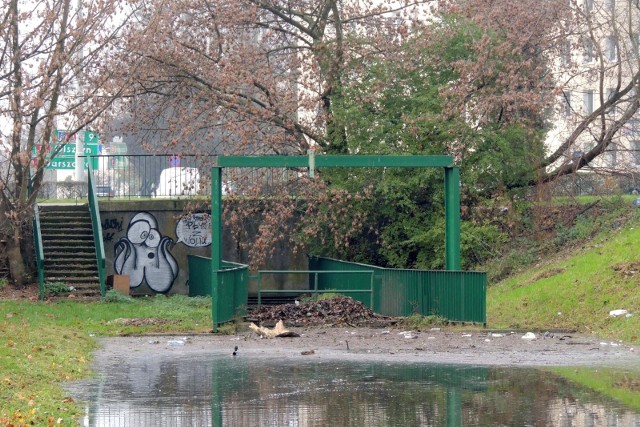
(232, 287)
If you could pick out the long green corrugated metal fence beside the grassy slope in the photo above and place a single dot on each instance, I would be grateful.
(456, 295)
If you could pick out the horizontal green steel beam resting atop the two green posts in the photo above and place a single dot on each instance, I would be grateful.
(346, 161)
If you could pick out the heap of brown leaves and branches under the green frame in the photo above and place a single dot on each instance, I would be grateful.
(337, 311)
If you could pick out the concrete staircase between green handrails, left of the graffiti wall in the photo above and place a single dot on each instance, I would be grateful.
(69, 248)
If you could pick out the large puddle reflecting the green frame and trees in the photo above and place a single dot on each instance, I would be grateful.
(224, 391)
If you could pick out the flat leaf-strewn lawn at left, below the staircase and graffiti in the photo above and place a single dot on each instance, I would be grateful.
(43, 345)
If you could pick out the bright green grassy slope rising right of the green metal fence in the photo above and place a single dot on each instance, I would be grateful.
(577, 290)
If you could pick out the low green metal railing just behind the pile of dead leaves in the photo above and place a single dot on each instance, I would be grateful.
(315, 289)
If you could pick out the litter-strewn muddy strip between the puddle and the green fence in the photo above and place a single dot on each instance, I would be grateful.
(367, 344)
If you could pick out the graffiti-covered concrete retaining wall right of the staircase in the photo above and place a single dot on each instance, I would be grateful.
(150, 240)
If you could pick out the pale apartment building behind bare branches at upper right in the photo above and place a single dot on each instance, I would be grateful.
(597, 74)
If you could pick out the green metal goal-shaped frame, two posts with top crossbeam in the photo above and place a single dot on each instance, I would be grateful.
(451, 187)
